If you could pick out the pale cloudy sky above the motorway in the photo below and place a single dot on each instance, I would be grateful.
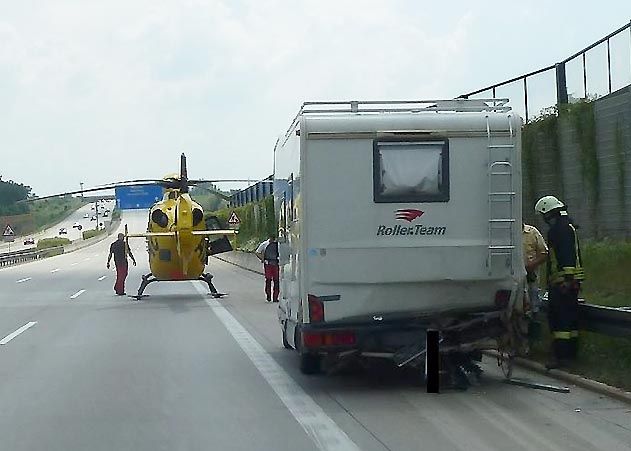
(103, 91)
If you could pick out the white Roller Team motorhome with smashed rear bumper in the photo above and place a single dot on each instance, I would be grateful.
(396, 217)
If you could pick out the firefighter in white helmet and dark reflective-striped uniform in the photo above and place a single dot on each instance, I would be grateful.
(565, 274)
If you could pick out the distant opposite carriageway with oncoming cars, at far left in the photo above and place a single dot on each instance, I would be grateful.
(53, 231)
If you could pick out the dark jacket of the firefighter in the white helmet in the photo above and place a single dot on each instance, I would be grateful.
(564, 256)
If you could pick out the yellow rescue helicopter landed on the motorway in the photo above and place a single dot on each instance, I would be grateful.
(178, 236)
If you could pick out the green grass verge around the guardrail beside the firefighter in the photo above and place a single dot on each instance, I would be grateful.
(605, 359)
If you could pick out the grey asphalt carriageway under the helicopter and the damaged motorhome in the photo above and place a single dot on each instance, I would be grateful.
(180, 371)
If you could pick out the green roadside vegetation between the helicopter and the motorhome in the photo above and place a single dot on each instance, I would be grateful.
(257, 222)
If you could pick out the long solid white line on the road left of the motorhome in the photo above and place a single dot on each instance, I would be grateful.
(317, 424)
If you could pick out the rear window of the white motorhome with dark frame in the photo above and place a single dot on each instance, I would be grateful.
(411, 171)
